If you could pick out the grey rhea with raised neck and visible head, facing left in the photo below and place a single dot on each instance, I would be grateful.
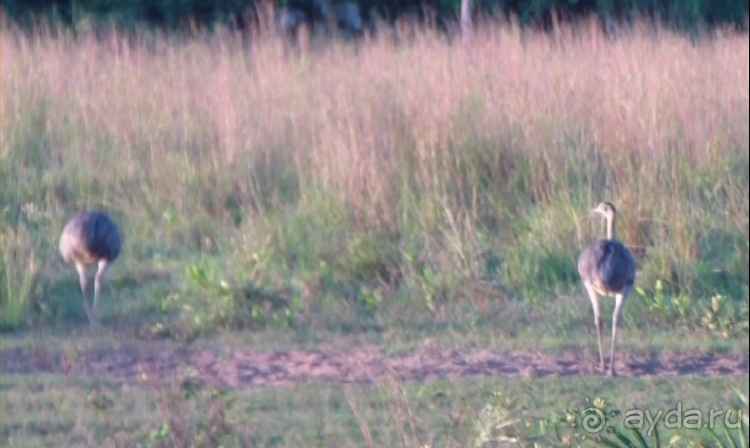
(607, 268)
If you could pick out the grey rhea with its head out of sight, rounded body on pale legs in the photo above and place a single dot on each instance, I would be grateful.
(90, 238)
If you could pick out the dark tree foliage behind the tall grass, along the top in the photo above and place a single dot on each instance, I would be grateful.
(175, 14)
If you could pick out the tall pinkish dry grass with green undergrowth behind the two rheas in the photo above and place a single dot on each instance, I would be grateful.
(409, 162)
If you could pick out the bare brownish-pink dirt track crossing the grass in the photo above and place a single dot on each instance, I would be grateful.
(280, 368)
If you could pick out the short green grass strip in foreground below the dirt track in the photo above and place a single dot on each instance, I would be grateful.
(44, 411)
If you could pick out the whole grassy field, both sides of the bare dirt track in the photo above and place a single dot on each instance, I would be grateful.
(398, 192)
